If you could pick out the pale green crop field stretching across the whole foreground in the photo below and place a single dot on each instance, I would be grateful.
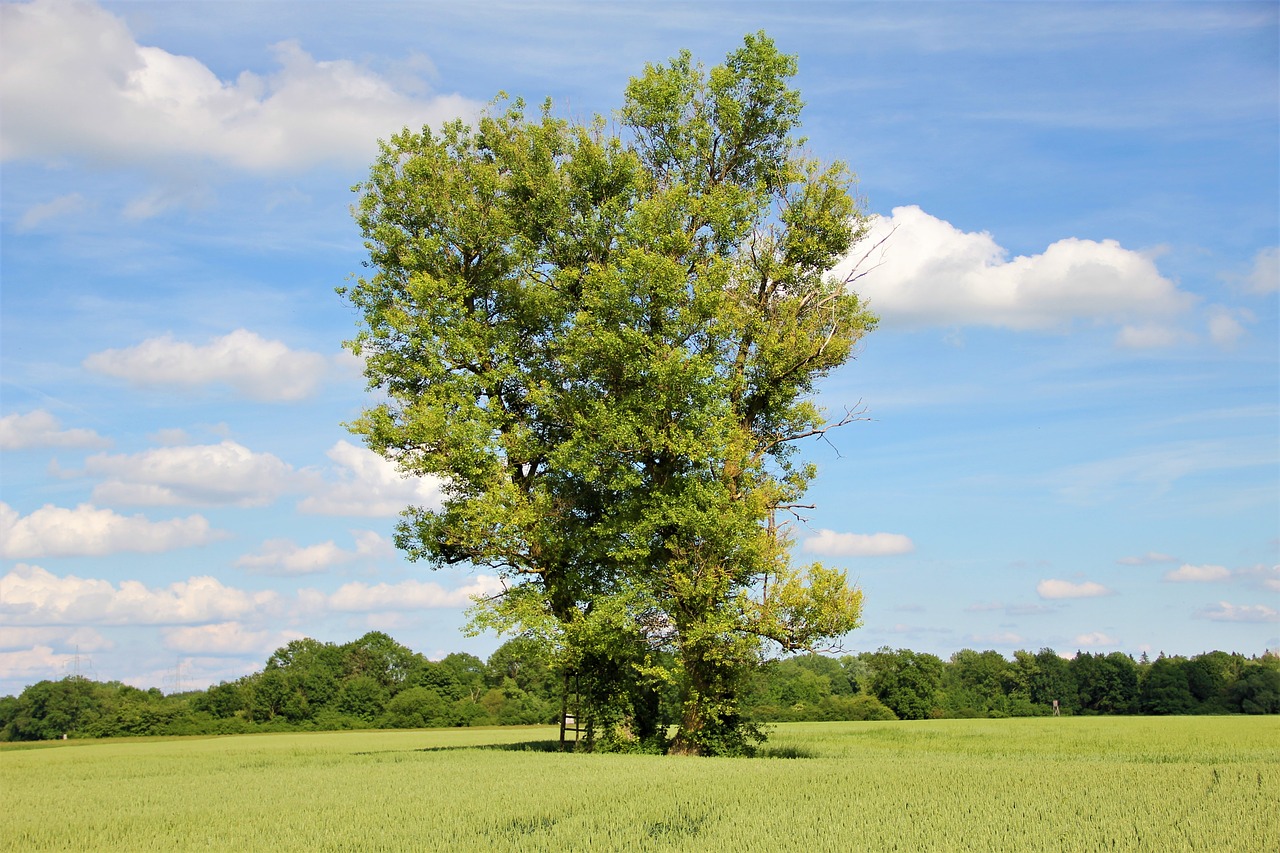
(1028, 784)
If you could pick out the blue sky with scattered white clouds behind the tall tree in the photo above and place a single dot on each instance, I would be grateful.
(1075, 393)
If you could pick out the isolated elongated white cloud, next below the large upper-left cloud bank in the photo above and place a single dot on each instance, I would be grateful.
(262, 370)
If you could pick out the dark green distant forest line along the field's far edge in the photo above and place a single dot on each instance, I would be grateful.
(374, 682)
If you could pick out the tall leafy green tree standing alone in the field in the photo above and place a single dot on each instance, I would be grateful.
(606, 344)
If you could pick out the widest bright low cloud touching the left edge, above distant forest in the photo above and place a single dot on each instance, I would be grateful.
(33, 596)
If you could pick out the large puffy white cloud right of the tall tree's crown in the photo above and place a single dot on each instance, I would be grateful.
(931, 273)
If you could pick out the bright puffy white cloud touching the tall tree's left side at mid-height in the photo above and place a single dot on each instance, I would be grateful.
(371, 486)
